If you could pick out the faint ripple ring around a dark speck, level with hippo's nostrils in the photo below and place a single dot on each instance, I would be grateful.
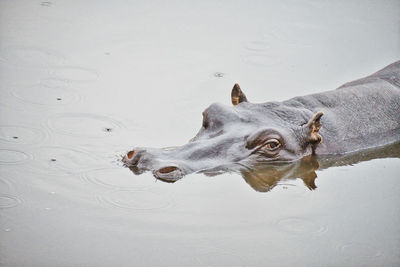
(62, 161)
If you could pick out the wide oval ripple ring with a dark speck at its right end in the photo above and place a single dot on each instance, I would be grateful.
(84, 125)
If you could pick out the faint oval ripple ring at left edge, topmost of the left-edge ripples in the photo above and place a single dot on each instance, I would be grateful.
(27, 56)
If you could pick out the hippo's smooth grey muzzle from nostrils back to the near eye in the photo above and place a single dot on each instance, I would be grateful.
(172, 164)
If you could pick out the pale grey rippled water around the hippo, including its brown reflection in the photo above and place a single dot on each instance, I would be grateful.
(81, 83)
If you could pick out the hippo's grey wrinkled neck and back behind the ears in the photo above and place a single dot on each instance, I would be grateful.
(361, 114)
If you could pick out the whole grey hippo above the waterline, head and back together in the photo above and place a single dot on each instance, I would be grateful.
(358, 115)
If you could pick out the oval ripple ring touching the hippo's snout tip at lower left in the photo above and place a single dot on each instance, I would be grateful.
(116, 179)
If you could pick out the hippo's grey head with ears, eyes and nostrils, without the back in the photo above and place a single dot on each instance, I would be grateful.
(244, 134)
